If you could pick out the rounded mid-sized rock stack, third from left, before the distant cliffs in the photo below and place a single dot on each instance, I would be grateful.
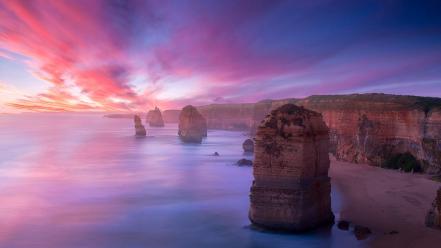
(192, 125)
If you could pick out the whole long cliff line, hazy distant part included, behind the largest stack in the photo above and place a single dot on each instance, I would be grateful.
(364, 128)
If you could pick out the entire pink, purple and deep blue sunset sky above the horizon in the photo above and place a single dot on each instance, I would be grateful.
(114, 55)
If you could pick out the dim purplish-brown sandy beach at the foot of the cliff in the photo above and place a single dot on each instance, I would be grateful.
(385, 201)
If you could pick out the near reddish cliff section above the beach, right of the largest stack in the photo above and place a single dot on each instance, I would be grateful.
(374, 128)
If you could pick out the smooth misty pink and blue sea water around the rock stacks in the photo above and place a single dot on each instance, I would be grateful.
(86, 181)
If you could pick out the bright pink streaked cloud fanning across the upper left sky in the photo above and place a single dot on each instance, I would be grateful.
(63, 41)
